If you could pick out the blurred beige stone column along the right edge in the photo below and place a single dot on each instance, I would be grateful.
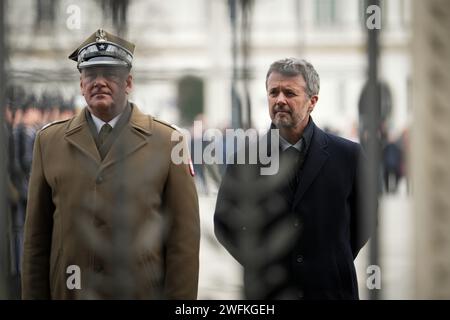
(430, 147)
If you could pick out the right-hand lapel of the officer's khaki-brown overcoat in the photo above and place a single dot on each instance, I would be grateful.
(132, 137)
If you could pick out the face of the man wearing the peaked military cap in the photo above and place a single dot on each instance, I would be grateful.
(105, 88)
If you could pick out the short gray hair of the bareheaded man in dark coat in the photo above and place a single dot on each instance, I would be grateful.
(291, 67)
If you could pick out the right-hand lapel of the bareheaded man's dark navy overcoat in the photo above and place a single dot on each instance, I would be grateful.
(314, 161)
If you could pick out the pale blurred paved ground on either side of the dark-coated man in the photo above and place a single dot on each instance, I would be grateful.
(221, 275)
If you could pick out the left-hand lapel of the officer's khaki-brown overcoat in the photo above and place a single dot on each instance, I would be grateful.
(79, 135)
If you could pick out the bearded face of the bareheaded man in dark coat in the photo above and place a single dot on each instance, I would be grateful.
(289, 105)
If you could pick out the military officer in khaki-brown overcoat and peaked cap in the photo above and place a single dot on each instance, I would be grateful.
(109, 215)
